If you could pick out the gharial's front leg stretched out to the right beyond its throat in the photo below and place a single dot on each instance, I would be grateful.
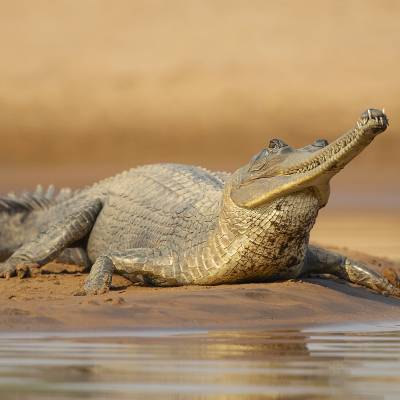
(321, 261)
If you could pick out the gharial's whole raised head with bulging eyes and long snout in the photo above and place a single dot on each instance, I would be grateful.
(279, 169)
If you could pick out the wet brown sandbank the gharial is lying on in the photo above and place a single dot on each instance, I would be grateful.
(47, 302)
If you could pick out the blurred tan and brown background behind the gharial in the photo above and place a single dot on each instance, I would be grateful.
(90, 87)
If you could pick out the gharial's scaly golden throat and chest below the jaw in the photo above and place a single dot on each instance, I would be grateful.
(260, 244)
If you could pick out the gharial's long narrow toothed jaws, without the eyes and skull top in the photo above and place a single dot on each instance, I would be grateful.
(313, 170)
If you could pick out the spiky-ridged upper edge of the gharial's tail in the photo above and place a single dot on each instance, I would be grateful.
(30, 201)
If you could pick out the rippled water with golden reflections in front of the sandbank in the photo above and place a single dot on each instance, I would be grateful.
(196, 365)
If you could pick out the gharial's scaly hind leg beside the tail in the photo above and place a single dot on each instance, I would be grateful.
(48, 244)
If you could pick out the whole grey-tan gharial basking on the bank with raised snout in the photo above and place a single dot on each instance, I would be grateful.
(171, 224)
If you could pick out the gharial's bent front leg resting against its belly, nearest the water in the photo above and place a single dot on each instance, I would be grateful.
(151, 266)
